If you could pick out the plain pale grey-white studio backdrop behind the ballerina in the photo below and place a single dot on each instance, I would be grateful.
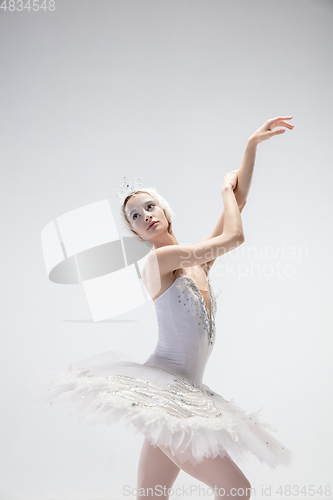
(168, 91)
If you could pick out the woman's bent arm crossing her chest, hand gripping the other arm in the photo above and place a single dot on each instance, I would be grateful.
(168, 258)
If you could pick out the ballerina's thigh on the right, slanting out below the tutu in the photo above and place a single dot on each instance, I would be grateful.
(216, 473)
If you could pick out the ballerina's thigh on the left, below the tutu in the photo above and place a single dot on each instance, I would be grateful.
(155, 468)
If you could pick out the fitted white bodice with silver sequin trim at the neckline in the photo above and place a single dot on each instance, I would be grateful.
(186, 333)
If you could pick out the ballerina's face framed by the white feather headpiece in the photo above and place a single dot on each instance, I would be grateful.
(141, 210)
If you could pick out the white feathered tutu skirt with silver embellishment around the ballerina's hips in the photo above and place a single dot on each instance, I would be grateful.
(193, 422)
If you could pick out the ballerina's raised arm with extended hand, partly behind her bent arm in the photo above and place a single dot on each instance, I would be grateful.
(245, 171)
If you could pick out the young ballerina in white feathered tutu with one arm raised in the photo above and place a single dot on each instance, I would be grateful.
(187, 426)
